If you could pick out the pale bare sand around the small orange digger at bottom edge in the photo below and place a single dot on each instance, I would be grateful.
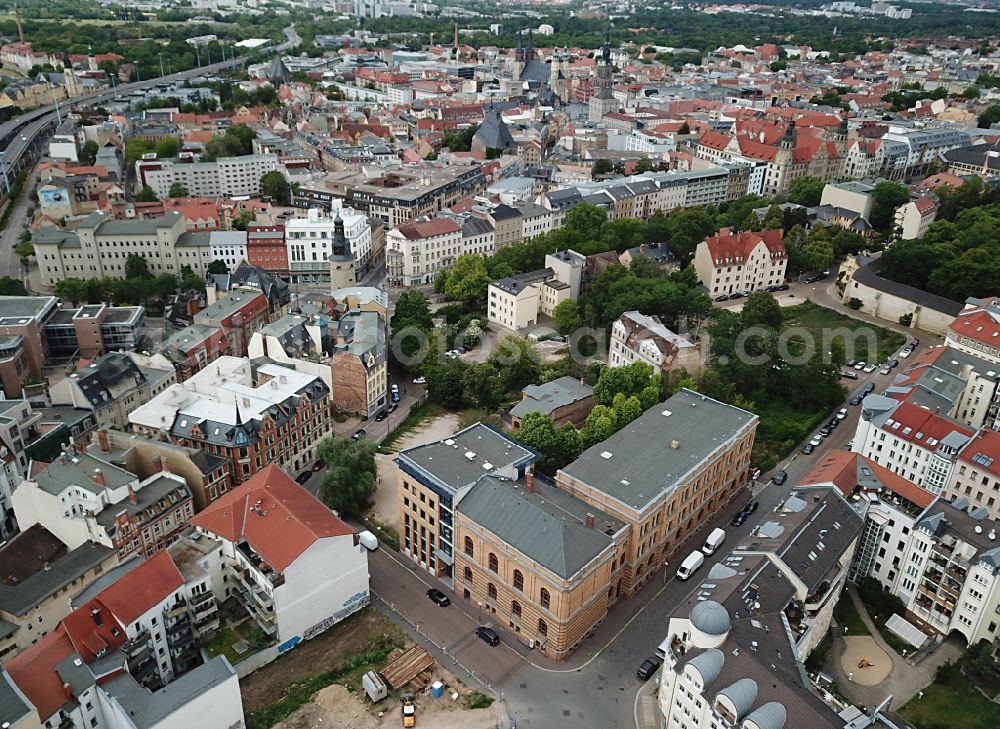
(336, 708)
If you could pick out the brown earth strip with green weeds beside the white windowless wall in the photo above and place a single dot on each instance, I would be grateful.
(266, 685)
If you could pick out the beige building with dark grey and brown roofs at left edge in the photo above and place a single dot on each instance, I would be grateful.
(41, 570)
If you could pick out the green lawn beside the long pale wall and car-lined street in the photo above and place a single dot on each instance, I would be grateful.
(859, 338)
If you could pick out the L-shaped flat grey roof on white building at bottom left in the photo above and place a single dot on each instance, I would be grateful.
(148, 709)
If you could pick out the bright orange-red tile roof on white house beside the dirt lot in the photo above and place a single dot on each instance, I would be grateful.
(278, 518)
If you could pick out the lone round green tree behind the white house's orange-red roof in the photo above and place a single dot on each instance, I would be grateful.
(350, 481)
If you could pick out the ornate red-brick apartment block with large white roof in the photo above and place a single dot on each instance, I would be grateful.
(247, 413)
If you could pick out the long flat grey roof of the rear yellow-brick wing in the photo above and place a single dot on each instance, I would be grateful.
(641, 463)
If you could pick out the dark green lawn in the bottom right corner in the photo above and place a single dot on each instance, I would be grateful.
(951, 703)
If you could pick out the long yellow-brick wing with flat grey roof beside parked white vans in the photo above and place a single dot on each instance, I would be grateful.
(665, 474)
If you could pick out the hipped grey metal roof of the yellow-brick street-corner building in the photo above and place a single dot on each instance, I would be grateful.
(547, 525)
